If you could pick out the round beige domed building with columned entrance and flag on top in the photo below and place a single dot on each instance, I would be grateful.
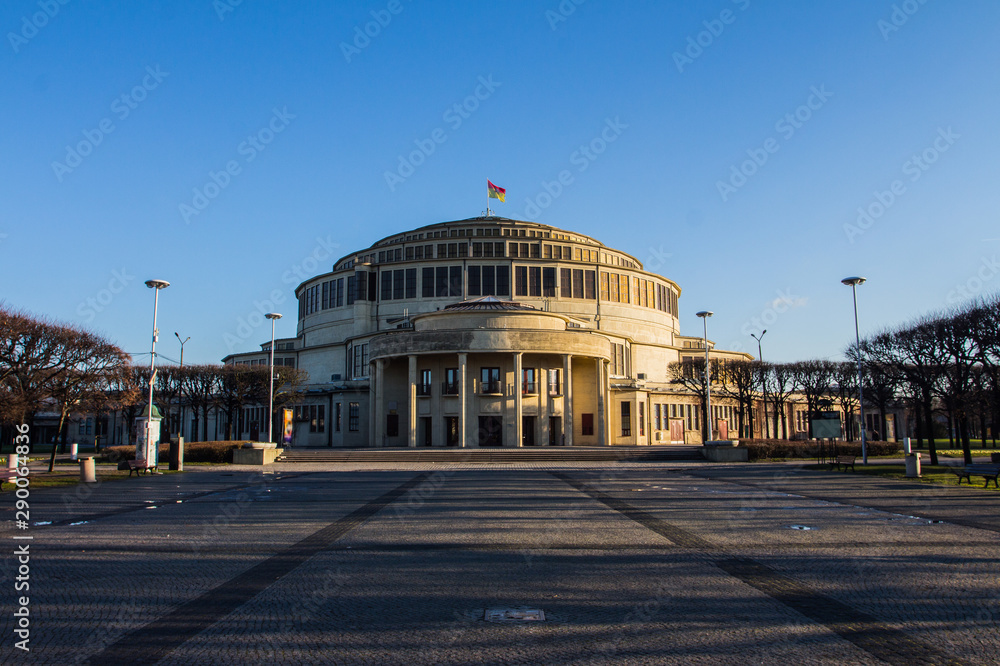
(489, 332)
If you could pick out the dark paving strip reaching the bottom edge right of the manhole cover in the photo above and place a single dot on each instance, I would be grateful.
(865, 631)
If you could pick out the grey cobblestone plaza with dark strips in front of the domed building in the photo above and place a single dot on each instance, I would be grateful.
(633, 563)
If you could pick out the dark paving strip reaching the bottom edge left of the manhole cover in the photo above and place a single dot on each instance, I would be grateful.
(154, 641)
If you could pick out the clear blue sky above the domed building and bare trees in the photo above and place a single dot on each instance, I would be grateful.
(80, 234)
